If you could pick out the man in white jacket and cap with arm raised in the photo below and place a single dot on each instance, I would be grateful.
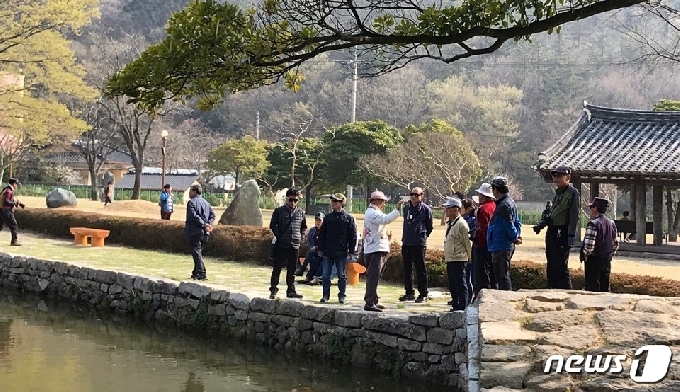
(376, 246)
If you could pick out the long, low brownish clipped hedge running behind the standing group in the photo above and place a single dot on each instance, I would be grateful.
(251, 244)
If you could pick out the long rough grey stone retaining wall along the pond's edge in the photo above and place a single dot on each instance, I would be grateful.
(431, 347)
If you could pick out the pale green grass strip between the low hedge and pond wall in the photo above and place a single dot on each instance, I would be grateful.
(238, 277)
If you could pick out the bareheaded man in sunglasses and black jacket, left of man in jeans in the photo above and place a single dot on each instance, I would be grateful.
(289, 226)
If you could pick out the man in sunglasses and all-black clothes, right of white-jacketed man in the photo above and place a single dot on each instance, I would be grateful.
(417, 228)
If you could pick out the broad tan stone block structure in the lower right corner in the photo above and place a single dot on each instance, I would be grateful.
(519, 331)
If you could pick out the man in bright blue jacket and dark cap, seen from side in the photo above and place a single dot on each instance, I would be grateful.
(505, 231)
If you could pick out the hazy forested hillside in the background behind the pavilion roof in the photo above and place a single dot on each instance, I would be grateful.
(509, 105)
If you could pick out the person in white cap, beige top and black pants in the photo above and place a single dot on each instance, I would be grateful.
(457, 253)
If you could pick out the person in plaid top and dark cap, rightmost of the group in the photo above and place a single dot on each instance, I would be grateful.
(598, 246)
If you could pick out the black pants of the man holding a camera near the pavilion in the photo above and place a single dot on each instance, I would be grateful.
(557, 256)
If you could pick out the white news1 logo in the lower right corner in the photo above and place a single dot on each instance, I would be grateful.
(655, 368)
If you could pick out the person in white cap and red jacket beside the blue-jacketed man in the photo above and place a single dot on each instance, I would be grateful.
(484, 277)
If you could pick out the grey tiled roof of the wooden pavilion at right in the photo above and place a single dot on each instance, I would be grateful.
(618, 143)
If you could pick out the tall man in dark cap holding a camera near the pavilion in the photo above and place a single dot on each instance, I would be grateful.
(562, 223)
